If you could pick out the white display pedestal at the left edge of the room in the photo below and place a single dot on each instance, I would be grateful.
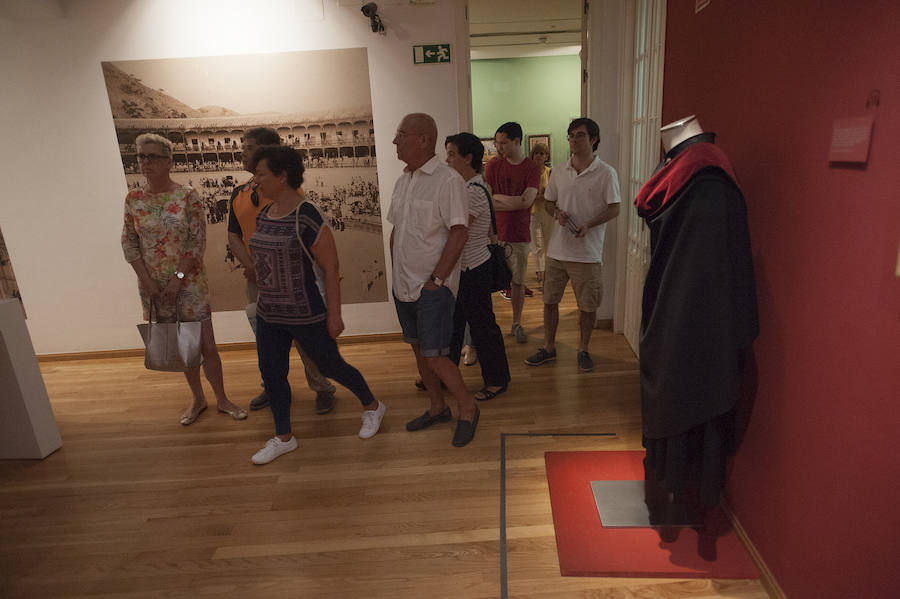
(27, 426)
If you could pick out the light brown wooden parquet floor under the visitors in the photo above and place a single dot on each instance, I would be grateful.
(136, 506)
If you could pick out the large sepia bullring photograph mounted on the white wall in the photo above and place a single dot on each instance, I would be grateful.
(319, 102)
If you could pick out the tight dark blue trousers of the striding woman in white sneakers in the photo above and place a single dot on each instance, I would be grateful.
(273, 347)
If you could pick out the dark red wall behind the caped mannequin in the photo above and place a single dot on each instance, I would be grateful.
(816, 482)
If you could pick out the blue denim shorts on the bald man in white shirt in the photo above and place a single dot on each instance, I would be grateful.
(428, 321)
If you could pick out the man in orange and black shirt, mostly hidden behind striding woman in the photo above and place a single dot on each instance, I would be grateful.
(245, 205)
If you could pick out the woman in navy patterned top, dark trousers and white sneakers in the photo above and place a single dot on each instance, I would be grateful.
(299, 299)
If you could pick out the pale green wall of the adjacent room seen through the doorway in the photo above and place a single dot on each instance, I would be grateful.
(541, 93)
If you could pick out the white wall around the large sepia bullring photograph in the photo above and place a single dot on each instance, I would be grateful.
(61, 208)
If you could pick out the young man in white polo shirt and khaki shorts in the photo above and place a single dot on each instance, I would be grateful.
(583, 195)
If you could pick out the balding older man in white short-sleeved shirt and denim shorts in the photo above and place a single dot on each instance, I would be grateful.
(429, 212)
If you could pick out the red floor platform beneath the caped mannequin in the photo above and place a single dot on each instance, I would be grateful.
(586, 548)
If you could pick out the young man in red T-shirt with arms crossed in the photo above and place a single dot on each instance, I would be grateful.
(514, 180)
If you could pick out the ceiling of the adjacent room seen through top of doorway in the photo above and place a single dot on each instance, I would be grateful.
(519, 28)
